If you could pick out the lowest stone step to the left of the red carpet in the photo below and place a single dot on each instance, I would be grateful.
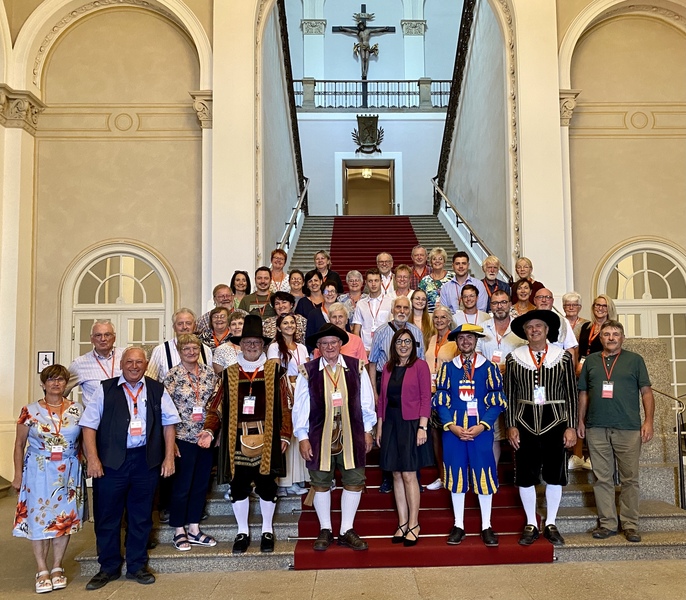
(166, 559)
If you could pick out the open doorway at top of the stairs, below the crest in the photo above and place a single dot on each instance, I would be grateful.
(368, 188)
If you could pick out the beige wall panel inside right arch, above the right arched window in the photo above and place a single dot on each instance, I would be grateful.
(627, 139)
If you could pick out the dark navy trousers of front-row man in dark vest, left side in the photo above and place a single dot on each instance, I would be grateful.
(131, 487)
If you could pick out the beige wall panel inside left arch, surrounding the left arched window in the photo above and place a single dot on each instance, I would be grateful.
(117, 153)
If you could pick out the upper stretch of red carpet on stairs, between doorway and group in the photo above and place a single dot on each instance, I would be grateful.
(356, 241)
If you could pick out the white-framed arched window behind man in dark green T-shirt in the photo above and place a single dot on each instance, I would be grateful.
(647, 281)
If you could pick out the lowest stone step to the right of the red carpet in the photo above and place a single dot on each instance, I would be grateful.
(581, 547)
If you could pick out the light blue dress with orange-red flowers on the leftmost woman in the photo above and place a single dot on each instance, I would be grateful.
(52, 495)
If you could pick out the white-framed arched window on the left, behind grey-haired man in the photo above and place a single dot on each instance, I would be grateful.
(120, 282)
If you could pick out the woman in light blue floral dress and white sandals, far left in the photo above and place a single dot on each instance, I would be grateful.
(48, 476)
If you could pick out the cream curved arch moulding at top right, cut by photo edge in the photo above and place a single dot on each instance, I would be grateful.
(591, 14)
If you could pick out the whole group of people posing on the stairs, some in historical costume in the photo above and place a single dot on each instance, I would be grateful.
(280, 387)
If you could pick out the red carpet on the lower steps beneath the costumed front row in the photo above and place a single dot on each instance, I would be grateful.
(376, 522)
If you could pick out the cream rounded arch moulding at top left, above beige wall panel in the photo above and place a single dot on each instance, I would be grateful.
(52, 17)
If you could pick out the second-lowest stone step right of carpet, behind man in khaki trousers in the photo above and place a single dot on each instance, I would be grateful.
(655, 516)
